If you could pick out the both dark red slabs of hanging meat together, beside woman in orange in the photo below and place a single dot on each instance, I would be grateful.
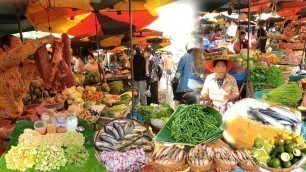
(55, 71)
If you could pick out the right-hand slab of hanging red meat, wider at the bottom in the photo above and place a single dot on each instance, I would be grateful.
(61, 76)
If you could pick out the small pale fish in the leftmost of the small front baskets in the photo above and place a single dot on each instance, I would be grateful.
(169, 155)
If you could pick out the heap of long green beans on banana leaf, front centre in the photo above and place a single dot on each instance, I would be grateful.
(194, 124)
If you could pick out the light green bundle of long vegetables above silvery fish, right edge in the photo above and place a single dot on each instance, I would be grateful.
(288, 95)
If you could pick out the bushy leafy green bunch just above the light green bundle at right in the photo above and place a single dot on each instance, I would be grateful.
(275, 77)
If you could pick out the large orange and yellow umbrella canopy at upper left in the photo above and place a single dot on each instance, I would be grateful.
(81, 19)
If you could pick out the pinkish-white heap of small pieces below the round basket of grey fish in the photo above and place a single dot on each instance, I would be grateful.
(131, 160)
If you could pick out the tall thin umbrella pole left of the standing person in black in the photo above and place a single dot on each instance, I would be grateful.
(131, 55)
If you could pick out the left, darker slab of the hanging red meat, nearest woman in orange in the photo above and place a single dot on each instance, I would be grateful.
(43, 64)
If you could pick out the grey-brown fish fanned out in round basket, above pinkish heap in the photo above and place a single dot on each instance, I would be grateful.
(124, 138)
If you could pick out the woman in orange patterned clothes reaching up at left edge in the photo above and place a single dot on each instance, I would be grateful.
(16, 73)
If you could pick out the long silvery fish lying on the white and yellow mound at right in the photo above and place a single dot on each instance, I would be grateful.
(279, 117)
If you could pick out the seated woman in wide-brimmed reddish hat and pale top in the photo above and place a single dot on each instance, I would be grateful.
(220, 89)
